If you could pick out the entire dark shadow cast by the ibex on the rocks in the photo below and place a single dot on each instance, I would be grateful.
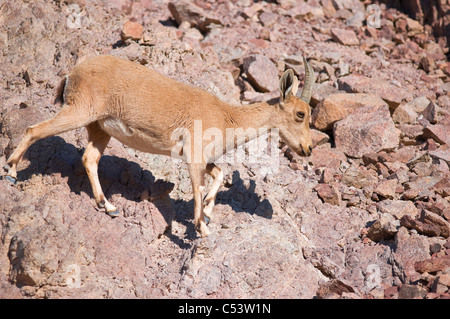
(118, 176)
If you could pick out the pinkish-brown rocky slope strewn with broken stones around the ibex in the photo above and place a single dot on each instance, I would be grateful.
(367, 215)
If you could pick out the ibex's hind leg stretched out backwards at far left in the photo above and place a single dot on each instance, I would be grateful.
(68, 118)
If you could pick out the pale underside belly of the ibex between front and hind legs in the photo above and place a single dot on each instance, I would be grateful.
(134, 138)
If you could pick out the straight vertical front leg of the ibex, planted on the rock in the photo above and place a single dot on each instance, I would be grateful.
(197, 172)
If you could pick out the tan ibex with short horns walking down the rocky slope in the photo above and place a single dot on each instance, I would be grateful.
(141, 108)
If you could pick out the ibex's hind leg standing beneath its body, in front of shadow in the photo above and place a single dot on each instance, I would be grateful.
(98, 139)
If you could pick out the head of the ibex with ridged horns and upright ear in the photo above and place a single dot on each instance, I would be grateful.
(295, 112)
